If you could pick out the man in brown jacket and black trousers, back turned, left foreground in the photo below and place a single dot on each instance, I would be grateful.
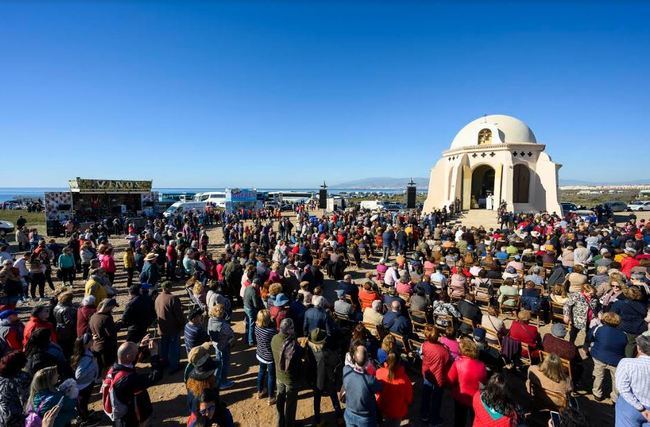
(171, 321)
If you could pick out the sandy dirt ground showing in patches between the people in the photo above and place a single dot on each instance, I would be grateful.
(169, 396)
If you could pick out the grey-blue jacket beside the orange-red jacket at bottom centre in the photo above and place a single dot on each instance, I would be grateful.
(360, 392)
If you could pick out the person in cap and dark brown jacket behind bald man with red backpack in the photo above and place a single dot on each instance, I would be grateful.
(104, 332)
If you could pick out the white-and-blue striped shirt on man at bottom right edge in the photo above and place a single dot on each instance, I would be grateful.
(633, 381)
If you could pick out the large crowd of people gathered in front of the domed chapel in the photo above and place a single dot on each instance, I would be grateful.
(359, 307)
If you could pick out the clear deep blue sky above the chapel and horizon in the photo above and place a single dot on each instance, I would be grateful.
(290, 93)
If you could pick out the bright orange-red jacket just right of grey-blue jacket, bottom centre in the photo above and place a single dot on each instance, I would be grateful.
(396, 395)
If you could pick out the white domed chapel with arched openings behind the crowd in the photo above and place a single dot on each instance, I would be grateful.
(492, 159)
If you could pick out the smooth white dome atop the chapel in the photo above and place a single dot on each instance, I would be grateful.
(510, 130)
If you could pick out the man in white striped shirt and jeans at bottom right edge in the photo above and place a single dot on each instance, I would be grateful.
(633, 385)
